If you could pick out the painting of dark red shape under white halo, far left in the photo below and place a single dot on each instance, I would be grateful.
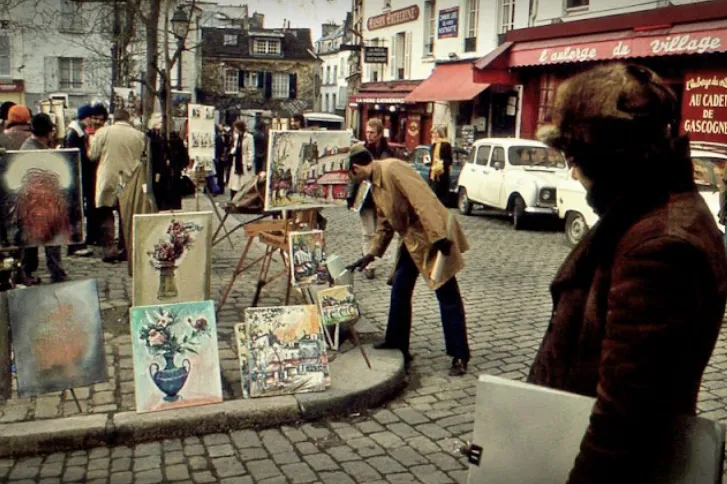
(40, 198)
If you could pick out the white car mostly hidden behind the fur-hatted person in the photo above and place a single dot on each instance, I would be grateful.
(709, 164)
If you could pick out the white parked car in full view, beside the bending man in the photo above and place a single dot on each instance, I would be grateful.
(511, 174)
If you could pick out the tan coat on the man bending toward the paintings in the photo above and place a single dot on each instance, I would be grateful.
(406, 205)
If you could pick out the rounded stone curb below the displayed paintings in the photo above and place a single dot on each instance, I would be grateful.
(354, 387)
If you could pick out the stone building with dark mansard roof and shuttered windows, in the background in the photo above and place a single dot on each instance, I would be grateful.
(273, 70)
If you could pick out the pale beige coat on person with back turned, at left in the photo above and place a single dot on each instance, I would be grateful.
(118, 148)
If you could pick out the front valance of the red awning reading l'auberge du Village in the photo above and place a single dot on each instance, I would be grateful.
(694, 38)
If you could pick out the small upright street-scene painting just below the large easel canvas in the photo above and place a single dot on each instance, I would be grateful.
(308, 257)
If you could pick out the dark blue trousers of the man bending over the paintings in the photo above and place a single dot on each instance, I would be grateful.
(398, 329)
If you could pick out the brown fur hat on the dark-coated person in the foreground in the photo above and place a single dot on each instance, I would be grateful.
(625, 97)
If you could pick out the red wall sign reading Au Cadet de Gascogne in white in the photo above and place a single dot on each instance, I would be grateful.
(704, 107)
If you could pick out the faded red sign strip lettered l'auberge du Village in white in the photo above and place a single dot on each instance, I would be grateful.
(706, 41)
